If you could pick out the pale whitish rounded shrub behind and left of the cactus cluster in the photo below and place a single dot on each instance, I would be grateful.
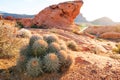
(24, 33)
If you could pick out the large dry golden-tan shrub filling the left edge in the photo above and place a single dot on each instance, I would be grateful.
(8, 42)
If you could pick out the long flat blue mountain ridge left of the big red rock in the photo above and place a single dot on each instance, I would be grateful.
(16, 15)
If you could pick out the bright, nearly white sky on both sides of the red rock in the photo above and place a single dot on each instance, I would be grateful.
(91, 9)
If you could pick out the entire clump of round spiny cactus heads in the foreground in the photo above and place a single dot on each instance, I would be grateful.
(43, 55)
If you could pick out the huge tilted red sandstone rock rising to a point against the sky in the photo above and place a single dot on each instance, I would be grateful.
(59, 16)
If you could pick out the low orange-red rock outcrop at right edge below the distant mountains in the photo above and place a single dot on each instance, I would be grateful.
(112, 32)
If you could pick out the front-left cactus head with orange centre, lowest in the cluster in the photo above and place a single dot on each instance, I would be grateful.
(34, 67)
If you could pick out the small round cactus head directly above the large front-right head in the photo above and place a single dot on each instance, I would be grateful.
(54, 47)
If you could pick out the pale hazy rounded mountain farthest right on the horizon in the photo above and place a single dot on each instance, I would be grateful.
(103, 21)
